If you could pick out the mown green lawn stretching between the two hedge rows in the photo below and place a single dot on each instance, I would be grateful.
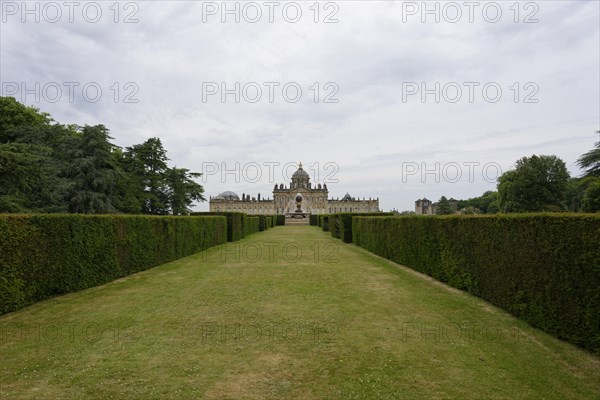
(335, 322)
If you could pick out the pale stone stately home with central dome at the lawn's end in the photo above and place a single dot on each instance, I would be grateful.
(301, 198)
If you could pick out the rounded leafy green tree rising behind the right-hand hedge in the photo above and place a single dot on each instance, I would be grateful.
(538, 183)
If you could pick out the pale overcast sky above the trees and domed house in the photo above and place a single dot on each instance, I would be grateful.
(391, 99)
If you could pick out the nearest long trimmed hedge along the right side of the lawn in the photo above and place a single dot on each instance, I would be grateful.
(543, 268)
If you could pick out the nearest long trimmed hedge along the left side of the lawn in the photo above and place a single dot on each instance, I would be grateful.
(48, 255)
